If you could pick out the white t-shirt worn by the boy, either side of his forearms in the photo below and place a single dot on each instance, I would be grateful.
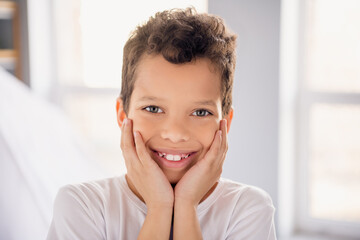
(108, 209)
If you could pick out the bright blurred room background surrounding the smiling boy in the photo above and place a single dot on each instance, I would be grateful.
(296, 127)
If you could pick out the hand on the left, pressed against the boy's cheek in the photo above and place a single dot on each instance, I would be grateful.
(144, 173)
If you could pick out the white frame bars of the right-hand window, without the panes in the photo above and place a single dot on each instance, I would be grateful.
(307, 98)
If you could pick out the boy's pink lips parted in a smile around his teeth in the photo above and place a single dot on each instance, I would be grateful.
(173, 164)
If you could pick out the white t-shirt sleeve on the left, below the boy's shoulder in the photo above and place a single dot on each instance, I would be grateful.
(74, 217)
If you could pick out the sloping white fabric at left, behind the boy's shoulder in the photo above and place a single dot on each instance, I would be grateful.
(39, 153)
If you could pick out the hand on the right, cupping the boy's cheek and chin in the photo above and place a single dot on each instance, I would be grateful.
(196, 182)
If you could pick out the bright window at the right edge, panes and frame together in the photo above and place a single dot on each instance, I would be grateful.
(329, 118)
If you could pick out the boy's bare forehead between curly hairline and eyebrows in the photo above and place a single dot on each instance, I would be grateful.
(195, 80)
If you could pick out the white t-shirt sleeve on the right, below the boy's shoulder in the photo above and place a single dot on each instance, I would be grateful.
(253, 218)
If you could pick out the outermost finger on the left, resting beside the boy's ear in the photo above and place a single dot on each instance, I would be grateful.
(127, 144)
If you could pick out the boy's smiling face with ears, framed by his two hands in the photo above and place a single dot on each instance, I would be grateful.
(177, 110)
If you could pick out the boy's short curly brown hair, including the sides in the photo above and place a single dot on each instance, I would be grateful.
(181, 36)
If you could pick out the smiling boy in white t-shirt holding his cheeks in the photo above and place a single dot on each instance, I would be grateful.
(174, 112)
